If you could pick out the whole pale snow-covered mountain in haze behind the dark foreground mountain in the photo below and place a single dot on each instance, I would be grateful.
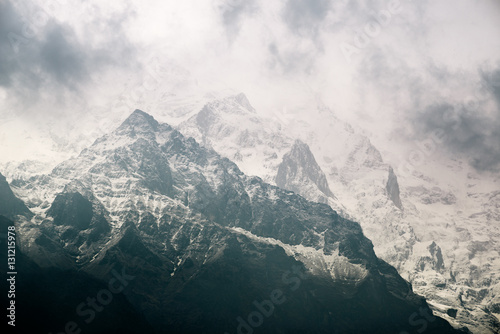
(404, 207)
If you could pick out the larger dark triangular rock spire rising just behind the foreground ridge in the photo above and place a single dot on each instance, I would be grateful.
(299, 171)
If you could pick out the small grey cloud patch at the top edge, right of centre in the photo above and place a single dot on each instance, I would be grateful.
(304, 17)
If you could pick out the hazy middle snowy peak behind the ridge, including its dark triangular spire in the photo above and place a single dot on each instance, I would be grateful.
(258, 145)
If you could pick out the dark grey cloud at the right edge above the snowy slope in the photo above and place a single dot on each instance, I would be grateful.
(467, 129)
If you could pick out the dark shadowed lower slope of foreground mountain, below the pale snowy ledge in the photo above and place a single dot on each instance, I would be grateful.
(201, 296)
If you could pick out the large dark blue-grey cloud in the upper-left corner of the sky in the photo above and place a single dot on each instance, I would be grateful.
(48, 54)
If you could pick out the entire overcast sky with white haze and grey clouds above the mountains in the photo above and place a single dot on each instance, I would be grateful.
(395, 68)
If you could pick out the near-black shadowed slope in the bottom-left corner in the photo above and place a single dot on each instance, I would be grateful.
(47, 300)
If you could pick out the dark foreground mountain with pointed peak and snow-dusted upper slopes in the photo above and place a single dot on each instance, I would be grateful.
(198, 246)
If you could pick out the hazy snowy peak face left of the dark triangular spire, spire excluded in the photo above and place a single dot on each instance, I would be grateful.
(231, 126)
